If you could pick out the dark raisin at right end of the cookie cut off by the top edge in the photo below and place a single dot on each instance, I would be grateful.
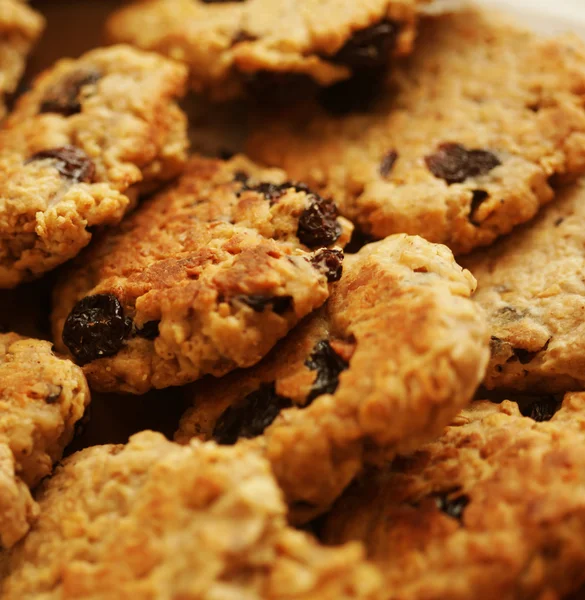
(370, 47)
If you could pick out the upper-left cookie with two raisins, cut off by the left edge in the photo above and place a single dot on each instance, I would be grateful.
(77, 149)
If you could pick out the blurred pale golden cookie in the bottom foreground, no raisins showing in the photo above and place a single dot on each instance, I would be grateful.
(154, 519)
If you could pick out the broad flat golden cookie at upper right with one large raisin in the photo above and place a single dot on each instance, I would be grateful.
(463, 143)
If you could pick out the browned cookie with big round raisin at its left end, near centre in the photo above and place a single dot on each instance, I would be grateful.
(203, 278)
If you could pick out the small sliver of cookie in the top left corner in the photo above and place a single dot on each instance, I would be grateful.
(20, 27)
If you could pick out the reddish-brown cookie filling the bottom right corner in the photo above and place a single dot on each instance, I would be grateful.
(493, 509)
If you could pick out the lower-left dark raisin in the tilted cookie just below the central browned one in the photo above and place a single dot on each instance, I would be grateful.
(250, 417)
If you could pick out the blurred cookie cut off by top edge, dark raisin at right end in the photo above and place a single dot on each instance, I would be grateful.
(227, 44)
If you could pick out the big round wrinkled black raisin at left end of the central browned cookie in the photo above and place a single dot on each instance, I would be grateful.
(95, 328)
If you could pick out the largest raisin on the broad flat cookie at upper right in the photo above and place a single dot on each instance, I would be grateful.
(455, 163)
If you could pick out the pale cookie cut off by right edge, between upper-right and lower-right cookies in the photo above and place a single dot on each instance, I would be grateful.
(532, 286)
